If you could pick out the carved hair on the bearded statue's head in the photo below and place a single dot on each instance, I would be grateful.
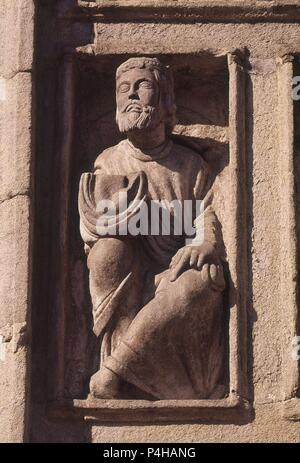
(164, 78)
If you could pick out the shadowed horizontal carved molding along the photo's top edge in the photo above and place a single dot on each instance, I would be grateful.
(186, 11)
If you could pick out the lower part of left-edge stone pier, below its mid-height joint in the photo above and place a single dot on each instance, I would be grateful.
(14, 300)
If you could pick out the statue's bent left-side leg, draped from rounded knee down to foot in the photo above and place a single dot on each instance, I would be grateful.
(115, 286)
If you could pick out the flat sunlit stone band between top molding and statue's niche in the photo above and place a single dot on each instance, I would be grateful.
(216, 38)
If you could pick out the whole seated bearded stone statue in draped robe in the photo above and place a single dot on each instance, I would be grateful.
(157, 297)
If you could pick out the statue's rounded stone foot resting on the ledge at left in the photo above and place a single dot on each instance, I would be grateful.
(104, 384)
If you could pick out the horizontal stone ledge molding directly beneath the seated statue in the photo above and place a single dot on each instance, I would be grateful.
(231, 410)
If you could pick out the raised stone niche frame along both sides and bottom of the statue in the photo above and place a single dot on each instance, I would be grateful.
(234, 408)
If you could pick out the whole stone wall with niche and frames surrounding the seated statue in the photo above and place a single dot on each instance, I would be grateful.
(56, 116)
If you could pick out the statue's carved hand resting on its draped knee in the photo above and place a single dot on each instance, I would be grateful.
(193, 257)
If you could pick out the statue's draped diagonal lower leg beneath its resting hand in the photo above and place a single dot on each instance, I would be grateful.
(162, 347)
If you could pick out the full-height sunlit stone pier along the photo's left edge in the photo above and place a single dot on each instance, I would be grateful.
(16, 155)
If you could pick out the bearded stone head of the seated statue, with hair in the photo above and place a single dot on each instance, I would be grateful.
(145, 95)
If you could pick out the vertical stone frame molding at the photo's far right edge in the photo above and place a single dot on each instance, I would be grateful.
(289, 277)
